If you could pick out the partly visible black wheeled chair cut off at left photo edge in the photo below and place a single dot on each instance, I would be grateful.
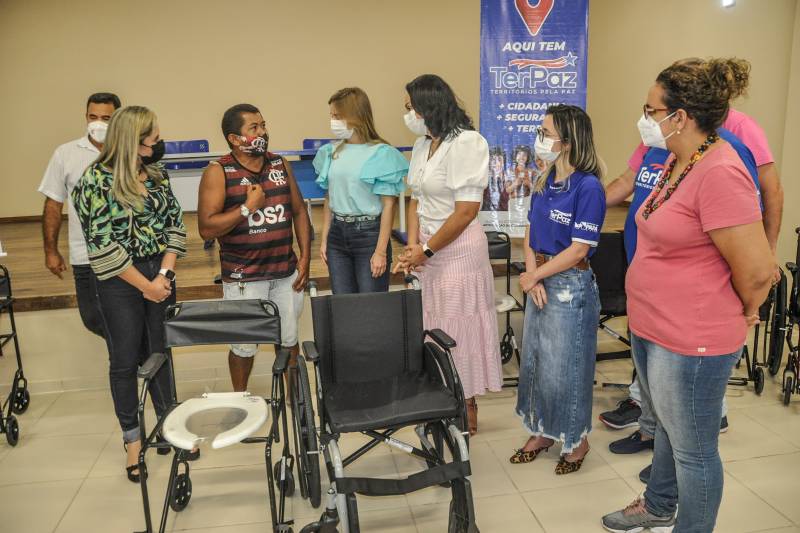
(19, 398)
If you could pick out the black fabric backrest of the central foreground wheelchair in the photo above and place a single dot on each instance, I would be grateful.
(367, 337)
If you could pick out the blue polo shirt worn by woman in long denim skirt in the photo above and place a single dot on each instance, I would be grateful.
(567, 212)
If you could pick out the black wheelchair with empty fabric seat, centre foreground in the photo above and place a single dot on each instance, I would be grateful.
(377, 371)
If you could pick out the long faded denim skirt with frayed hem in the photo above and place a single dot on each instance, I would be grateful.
(554, 397)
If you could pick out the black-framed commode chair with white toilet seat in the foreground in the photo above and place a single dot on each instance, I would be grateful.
(212, 323)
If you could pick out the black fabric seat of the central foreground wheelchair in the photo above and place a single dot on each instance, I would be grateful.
(395, 401)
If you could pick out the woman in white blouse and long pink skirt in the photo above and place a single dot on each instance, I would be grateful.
(447, 247)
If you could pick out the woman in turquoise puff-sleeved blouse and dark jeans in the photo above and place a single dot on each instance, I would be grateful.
(363, 175)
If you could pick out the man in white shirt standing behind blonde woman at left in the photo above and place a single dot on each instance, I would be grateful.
(66, 167)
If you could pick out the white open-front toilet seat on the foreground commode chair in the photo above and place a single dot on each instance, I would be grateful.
(256, 413)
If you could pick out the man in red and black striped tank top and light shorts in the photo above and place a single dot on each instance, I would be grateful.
(249, 201)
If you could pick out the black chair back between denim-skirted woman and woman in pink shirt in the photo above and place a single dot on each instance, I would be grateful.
(610, 265)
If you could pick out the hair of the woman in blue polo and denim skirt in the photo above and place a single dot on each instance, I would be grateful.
(574, 127)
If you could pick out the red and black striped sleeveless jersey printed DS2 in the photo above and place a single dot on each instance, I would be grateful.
(260, 246)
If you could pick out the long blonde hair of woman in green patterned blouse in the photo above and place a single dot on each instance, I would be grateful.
(127, 129)
